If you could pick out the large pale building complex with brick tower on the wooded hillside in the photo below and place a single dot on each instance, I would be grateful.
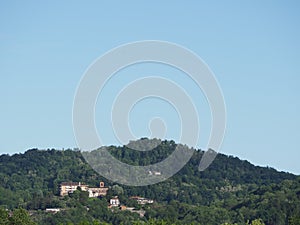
(70, 187)
